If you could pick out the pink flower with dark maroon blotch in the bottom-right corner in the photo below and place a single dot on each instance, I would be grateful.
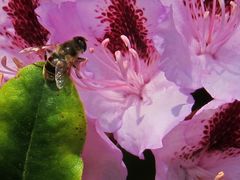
(204, 146)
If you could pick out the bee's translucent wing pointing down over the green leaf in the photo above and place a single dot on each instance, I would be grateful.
(60, 71)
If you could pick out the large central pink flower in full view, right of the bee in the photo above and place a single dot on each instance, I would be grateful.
(121, 85)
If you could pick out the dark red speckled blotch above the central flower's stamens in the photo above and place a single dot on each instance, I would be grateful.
(125, 18)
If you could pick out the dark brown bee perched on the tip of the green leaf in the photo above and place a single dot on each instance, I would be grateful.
(62, 59)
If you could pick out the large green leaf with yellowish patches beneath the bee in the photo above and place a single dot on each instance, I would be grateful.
(42, 129)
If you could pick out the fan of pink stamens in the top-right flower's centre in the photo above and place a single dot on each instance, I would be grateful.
(212, 23)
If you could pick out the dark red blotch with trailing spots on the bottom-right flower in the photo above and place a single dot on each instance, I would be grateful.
(220, 135)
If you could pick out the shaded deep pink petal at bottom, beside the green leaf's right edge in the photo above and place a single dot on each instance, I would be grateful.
(102, 159)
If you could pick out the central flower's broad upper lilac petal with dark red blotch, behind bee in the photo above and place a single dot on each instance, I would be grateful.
(97, 20)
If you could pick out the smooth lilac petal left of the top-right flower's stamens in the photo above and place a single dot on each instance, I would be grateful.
(180, 63)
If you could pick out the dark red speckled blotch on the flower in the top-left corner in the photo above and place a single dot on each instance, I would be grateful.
(28, 31)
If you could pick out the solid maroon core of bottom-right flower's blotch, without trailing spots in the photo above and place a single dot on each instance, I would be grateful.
(222, 131)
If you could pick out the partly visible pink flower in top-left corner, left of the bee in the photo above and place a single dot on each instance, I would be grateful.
(19, 29)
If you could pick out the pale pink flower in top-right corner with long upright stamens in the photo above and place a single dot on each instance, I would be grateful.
(209, 32)
